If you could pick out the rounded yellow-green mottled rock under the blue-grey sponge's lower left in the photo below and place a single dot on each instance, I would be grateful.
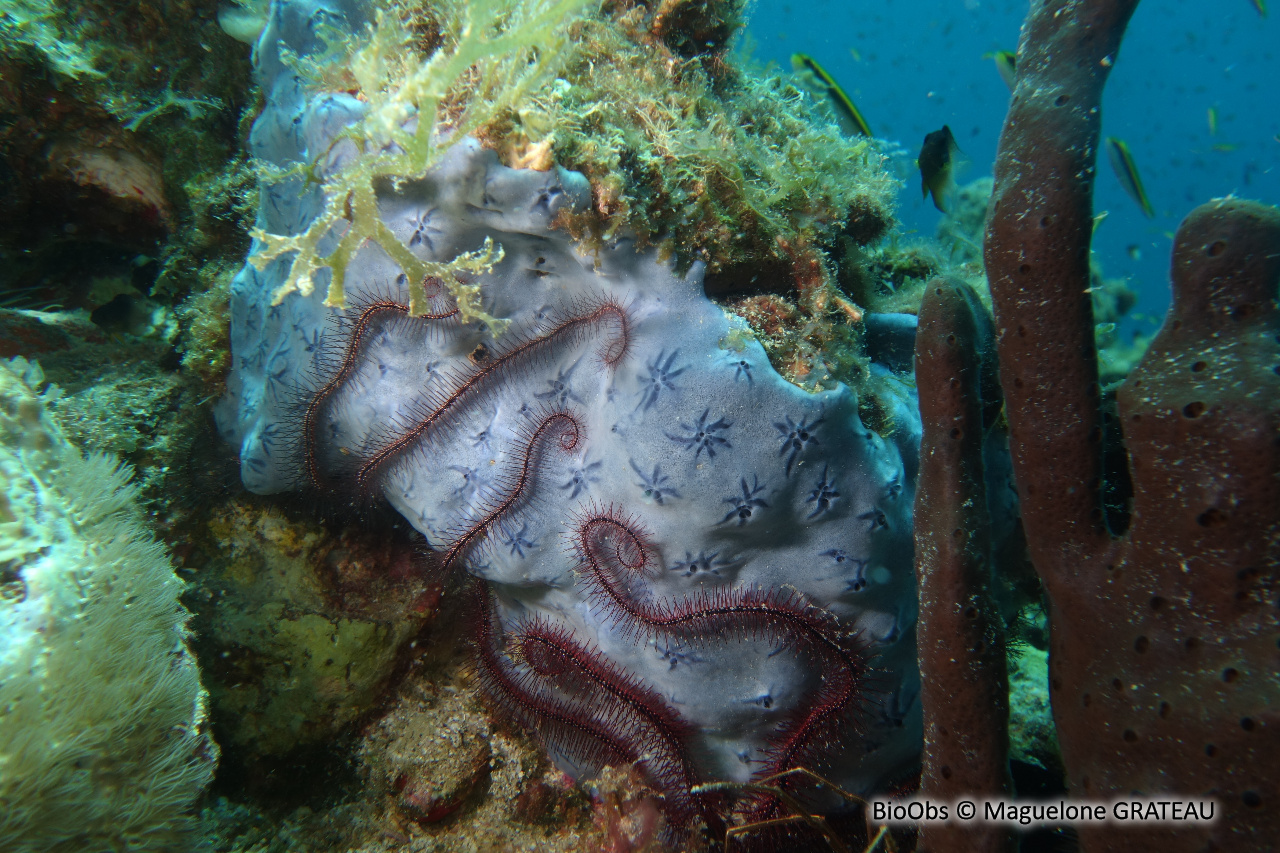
(305, 627)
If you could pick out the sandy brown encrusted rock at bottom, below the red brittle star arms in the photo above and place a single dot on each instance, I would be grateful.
(436, 774)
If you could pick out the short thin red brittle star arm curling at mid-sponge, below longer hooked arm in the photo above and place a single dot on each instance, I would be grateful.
(559, 428)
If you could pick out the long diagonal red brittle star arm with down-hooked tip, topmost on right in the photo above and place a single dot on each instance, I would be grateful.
(519, 354)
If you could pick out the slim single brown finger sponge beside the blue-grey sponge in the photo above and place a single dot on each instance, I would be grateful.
(964, 683)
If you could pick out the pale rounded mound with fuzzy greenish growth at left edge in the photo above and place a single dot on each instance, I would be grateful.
(103, 722)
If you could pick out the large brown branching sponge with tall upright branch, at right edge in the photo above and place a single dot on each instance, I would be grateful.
(1165, 642)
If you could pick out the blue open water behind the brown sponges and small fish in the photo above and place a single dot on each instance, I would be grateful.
(921, 66)
